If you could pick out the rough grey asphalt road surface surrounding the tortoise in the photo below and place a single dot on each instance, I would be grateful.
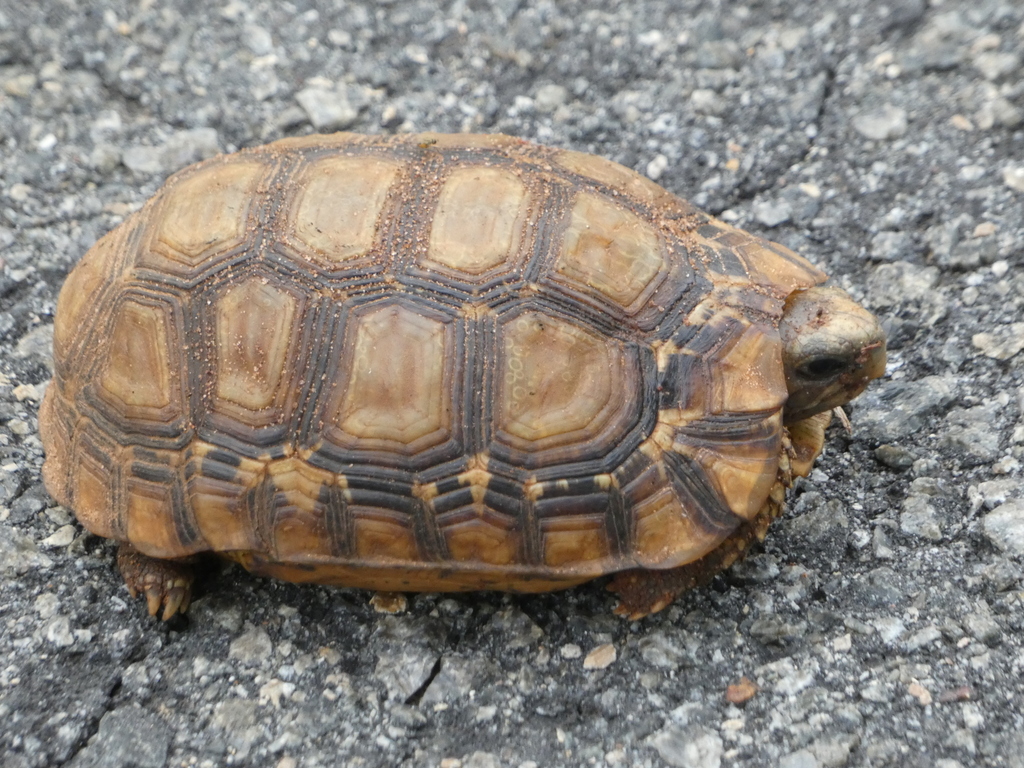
(881, 622)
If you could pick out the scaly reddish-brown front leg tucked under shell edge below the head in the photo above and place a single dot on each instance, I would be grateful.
(643, 592)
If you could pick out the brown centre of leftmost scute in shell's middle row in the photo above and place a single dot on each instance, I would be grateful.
(140, 376)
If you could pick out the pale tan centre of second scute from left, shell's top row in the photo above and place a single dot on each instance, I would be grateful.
(338, 206)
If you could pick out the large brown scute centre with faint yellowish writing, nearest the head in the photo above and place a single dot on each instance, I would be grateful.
(562, 385)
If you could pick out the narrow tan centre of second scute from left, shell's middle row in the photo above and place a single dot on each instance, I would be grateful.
(254, 344)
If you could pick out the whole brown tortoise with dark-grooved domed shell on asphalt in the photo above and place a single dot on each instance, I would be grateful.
(440, 363)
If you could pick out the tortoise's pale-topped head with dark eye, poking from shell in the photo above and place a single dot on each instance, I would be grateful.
(832, 348)
